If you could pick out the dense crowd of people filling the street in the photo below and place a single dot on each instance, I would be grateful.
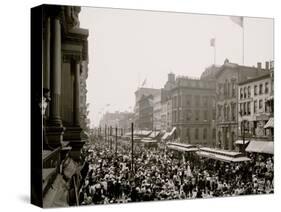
(158, 174)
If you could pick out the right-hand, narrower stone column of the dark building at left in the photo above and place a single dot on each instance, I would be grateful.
(76, 101)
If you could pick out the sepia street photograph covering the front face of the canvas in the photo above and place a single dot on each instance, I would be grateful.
(149, 106)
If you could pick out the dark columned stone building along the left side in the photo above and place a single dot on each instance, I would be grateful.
(64, 56)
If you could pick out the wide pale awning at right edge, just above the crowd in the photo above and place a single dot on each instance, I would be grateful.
(261, 147)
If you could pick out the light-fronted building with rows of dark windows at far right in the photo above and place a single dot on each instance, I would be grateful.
(255, 107)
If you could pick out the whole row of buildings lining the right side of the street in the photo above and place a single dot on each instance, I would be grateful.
(210, 111)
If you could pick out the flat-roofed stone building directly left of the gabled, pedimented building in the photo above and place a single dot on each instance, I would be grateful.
(193, 110)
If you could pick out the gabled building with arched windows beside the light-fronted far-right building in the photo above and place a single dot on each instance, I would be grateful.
(227, 78)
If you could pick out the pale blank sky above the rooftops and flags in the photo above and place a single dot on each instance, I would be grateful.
(128, 47)
